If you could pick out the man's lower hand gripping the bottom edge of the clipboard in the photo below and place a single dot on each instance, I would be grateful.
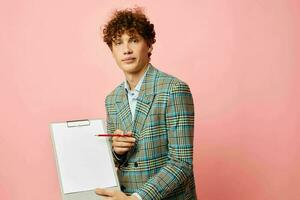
(113, 194)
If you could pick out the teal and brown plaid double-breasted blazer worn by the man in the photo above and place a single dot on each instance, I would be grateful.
(160, 164)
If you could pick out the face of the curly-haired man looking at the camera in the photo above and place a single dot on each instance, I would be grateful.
(131, 53)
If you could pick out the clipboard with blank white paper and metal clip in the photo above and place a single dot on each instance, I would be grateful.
(84, 161)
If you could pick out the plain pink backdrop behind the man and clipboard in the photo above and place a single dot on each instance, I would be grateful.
(240, 58)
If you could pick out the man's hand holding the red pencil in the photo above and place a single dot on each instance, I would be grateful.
(122, 144)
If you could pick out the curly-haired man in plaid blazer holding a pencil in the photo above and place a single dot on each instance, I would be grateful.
(155, 114)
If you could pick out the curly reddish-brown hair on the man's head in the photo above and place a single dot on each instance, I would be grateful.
(130, 21)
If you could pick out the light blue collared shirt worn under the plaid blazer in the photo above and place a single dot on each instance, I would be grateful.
(132, 95)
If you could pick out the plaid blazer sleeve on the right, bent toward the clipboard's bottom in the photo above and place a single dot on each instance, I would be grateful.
(180, 126)
